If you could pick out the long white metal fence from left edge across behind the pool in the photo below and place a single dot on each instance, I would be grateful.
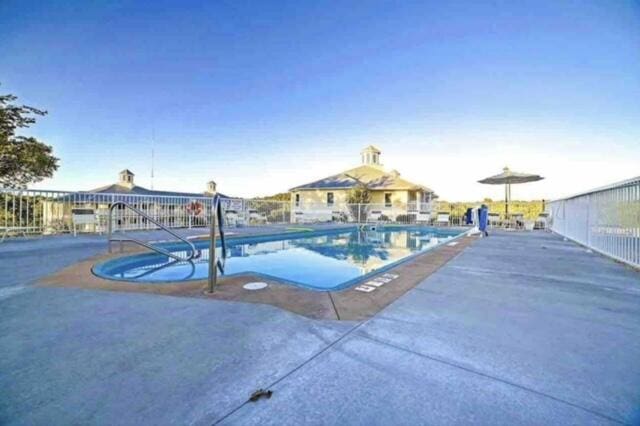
(45, 212)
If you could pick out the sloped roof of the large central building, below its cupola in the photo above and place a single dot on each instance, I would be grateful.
(373, 177)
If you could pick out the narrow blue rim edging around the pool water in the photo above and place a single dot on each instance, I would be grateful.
(238, 239)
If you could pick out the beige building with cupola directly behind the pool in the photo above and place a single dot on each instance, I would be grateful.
(390, 194)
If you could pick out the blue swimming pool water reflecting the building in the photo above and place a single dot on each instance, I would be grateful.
(327, 260)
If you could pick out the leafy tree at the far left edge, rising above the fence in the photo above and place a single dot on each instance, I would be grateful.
(23, 160)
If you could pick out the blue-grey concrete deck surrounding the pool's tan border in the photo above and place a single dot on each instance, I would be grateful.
(519, 328)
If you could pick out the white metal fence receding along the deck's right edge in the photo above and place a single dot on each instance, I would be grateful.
(606, 220)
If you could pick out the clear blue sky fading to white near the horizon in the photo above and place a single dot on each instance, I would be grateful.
(263, 96)
